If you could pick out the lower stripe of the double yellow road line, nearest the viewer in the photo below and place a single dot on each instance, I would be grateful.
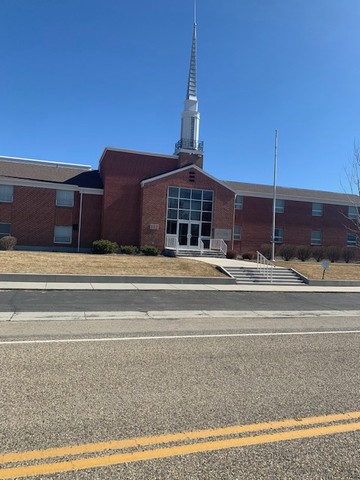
(96, 462)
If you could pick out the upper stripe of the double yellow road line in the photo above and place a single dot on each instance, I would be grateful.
(172, 437)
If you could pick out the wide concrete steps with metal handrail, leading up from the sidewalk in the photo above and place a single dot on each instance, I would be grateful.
(249, 275)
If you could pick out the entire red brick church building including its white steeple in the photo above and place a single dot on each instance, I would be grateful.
(169, 201)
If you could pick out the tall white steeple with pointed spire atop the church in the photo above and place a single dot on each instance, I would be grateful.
(190, 117)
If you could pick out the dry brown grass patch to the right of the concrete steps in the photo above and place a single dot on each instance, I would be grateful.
(313, 270)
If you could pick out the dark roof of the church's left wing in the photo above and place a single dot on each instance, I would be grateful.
(50, 172)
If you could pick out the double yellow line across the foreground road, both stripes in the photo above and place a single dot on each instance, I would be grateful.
(282, 430)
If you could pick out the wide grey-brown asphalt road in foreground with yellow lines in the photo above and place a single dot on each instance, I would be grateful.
(59, 395)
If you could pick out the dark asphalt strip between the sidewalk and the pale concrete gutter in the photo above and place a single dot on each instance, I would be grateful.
(28, 301)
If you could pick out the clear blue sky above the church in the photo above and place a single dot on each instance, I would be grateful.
(80, 75)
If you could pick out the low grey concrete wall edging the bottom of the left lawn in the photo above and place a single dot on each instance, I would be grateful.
(48, 278)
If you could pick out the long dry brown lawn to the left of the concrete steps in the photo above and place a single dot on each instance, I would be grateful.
(88, 264)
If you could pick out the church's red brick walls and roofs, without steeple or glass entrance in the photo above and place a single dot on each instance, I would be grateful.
(126, 201)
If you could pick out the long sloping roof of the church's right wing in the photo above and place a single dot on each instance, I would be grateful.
(296, 194)
